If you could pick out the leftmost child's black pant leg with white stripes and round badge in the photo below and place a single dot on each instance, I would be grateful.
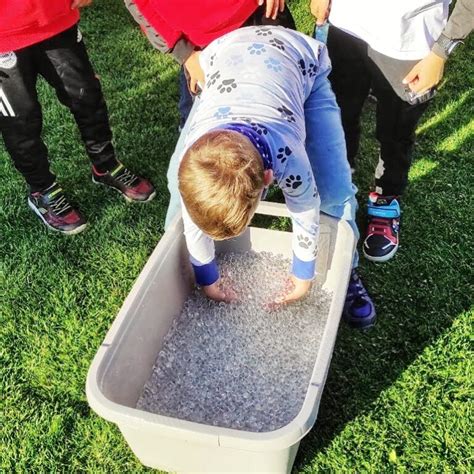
(21, 118)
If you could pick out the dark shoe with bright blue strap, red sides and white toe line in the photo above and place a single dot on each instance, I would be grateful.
(381, 241)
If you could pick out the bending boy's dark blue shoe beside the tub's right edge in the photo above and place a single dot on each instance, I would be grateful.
(359, 311)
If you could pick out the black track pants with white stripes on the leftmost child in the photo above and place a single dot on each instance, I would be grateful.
(62, 60)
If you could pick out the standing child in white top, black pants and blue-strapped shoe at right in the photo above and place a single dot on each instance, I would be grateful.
(397, 48)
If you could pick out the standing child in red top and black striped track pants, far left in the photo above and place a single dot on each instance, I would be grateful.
(42, 38)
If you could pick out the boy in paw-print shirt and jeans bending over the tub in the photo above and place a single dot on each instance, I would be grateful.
(266, 113)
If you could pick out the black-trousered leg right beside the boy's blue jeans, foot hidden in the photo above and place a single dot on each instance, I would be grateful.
(350, 80)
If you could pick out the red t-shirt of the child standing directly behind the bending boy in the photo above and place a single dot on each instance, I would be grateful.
(199, 21)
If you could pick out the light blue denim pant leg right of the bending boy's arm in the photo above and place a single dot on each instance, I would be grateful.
(326, 150)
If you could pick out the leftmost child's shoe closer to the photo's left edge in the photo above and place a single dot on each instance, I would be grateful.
(52, 207)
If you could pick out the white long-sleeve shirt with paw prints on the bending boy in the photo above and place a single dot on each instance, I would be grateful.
(262, 76)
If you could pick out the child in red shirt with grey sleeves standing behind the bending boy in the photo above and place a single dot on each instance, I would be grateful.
(184, 28)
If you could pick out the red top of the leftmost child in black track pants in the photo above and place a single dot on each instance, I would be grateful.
(26, 22)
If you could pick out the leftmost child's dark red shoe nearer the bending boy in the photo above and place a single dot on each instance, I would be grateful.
(132, 187)
